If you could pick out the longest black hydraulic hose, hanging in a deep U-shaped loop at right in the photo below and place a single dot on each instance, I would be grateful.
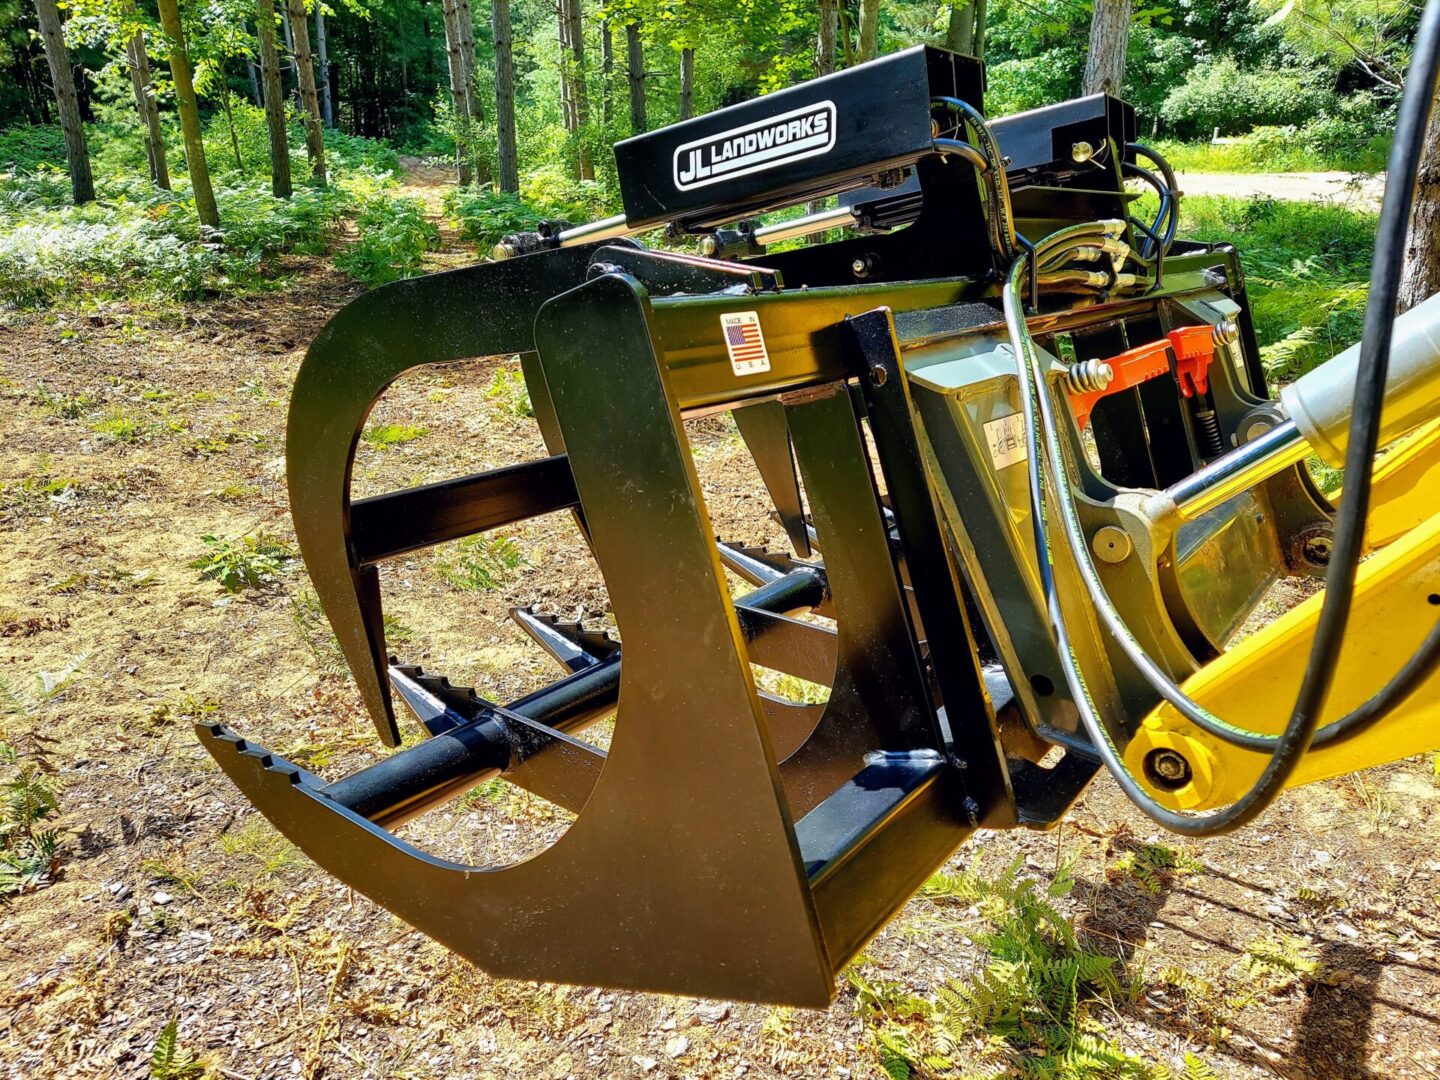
(1370, 387)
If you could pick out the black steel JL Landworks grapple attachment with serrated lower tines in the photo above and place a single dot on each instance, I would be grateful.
(734, 843)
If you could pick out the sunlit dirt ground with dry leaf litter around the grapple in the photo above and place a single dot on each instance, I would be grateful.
(176, 902)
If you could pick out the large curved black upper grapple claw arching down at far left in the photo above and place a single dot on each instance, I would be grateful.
(361, 352)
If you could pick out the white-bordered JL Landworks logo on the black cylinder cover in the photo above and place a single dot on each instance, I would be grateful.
(751, 149)
